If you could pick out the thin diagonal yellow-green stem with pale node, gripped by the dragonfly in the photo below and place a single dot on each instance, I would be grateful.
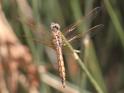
(81, 63)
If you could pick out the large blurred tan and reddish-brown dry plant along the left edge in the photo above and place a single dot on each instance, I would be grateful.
(14, 55)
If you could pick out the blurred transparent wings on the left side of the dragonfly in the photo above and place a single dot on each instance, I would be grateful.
(40, 36)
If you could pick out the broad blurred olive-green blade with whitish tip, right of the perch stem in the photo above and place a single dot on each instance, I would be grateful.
(92, 62)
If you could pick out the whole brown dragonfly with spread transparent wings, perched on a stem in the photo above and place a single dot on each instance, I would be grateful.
(54, 40)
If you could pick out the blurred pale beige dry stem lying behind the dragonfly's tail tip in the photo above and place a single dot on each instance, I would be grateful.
(54, 81)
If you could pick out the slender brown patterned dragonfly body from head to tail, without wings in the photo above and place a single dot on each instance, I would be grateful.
(57, 41)
